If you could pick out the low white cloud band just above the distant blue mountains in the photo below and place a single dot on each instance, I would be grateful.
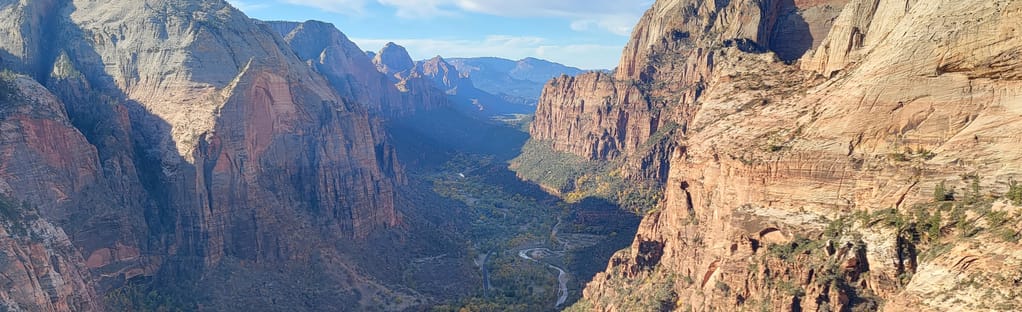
(581, 56)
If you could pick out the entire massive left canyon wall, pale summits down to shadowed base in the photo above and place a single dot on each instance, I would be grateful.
(197, 140)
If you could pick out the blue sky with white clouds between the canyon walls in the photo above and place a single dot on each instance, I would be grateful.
(587, 34)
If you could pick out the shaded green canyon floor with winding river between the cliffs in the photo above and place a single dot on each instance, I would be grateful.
(536, 251)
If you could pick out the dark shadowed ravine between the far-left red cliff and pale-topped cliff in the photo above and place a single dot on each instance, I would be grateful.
(119, 209)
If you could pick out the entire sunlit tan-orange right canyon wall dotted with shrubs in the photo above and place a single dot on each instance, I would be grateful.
(776, 149)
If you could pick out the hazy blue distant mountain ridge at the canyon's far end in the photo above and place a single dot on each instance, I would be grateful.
(517, 81)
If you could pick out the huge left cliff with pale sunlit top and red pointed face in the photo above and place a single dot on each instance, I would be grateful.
(256, 149)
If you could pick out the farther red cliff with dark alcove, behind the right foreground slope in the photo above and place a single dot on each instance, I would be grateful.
(674, 54)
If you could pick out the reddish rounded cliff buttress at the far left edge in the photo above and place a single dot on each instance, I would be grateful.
(43, 159)
